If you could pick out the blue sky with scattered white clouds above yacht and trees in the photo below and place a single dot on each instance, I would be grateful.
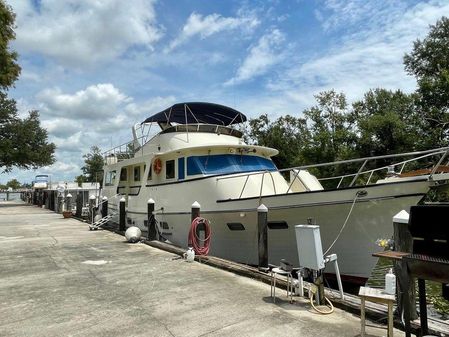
(95, 68)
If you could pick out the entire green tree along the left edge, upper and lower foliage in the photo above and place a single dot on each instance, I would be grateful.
(23, 143)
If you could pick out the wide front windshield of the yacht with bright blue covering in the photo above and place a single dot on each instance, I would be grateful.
(227, 163)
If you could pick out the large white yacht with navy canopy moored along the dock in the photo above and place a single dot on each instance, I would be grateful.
(198, 156)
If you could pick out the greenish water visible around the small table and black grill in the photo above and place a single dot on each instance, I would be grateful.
(439, 306)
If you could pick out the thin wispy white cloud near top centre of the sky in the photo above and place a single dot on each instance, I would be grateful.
(197, 25)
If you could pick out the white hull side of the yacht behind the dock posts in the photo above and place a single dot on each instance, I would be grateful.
(371, 219)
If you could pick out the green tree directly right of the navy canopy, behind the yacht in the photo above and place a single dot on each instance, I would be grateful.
(287, 134)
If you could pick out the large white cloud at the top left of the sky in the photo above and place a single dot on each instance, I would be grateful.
(85, 32)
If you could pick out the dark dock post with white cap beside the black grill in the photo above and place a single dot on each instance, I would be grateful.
(403, 242)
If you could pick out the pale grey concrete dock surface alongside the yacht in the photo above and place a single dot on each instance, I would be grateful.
(57, 278)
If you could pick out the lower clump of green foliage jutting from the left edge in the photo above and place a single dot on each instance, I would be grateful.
(23, 142)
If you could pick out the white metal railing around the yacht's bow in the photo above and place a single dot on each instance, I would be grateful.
(378, 172)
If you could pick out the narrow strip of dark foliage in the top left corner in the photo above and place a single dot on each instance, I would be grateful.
(10, 70)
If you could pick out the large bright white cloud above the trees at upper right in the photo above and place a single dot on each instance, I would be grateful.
(369, 57)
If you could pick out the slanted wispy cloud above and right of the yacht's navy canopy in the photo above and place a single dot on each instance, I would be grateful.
(265, 54)
